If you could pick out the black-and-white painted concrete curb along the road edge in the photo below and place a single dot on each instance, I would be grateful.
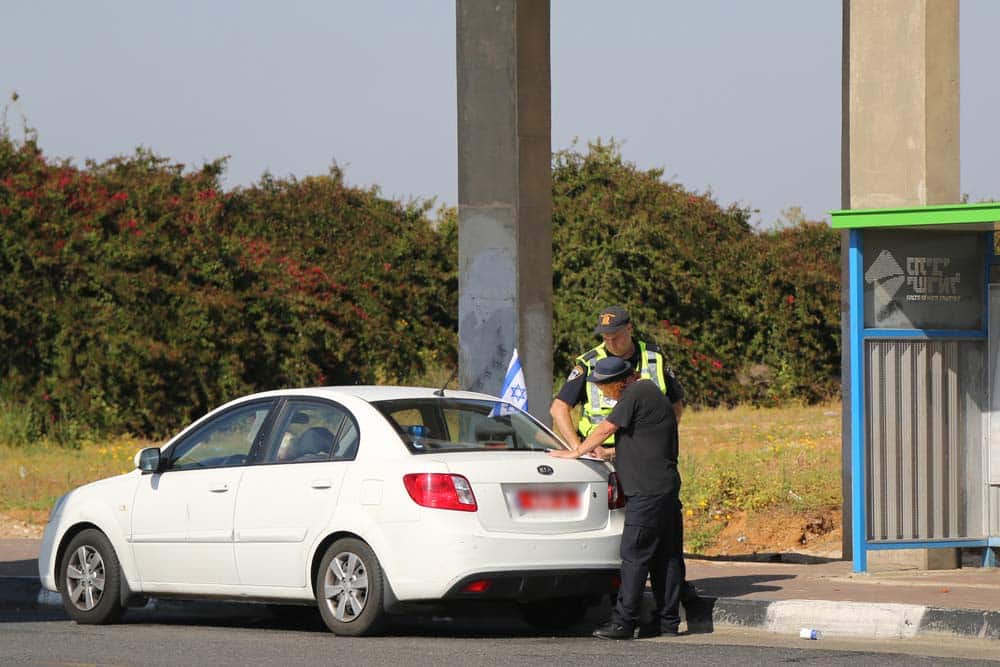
(788, 617)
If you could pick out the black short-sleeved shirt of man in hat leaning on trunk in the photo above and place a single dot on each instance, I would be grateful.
(647, 441)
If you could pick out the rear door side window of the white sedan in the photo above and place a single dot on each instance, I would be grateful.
(312, 431)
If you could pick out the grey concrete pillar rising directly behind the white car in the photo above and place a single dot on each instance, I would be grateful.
(505, 195)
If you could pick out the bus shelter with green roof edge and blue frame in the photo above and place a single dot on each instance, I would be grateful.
(924, 344)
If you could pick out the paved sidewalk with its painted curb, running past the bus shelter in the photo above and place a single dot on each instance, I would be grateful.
(777, 596)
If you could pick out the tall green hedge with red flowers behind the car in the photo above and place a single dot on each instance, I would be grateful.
(137, 294)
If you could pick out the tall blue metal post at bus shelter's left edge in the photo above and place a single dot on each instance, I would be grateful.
(857, 303)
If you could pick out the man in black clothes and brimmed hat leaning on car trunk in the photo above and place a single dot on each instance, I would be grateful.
(645, 425)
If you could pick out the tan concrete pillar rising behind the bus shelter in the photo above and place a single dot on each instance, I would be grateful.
(900, 132)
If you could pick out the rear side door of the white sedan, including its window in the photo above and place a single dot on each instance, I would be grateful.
(289, 495)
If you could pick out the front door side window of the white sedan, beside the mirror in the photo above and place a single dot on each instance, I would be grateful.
(225, 440)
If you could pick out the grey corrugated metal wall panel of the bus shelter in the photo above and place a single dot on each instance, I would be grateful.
(924, 429)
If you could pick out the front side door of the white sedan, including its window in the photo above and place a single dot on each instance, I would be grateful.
(182, 519)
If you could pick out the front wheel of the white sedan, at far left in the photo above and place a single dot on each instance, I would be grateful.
(90, 579)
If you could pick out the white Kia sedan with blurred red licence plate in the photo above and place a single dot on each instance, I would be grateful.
(358, 499)
